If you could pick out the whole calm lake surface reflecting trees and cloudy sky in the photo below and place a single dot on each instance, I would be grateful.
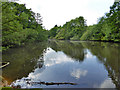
(89, 64)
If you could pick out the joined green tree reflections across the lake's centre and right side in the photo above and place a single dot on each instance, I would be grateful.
(108, 54)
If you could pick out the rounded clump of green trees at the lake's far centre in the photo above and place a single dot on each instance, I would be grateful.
(72, 30)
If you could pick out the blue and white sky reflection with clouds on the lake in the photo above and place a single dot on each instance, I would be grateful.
(58, 67)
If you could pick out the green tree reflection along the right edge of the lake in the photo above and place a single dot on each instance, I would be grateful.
(109, 55)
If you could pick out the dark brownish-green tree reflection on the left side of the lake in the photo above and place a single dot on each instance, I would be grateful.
(22, 61)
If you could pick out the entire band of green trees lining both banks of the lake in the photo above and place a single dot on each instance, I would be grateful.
(21, 25)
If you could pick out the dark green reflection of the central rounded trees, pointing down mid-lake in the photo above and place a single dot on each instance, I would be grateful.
(74, 50)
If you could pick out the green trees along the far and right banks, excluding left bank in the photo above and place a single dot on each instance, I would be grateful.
(107, 28)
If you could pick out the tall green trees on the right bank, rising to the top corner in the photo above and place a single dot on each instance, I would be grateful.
(108, 27)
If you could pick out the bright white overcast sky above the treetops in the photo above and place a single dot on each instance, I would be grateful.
(60, 11)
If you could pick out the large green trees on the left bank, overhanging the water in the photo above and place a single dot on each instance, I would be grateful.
(20, 25)
